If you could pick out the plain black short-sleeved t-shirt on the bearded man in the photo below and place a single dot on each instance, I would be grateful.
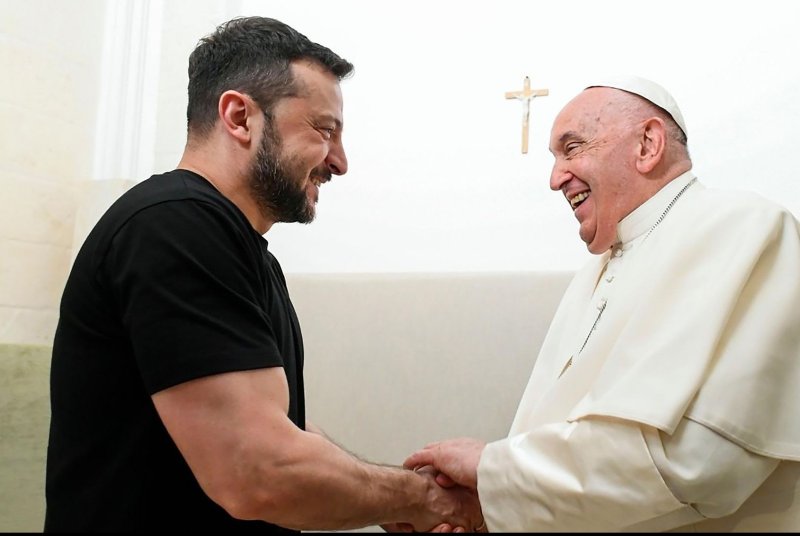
(172, 284)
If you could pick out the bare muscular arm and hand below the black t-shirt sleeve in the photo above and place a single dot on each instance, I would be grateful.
(234, 433)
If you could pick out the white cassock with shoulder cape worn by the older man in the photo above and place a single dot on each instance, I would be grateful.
(683, 407)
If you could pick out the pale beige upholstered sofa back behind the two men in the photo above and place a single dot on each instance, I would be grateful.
(393, 361)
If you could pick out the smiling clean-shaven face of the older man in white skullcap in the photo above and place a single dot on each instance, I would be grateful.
(594, 142)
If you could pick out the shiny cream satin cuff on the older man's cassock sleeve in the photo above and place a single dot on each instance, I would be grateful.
(593, 475)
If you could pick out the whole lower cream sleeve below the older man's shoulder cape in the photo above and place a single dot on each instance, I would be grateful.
(616, 475)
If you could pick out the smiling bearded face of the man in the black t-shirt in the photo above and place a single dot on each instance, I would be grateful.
(301, 147)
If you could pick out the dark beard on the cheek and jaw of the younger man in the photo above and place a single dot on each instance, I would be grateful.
(276, 183)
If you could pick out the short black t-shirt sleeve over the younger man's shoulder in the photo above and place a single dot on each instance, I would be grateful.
(189, 282)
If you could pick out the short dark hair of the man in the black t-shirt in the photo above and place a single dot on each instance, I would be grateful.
(252, 55)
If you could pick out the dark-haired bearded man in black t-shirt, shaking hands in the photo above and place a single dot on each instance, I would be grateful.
(177, 373)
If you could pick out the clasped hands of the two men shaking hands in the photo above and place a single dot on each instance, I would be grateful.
(451, 502)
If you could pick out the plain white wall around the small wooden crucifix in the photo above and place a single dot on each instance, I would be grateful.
(437, 181)
